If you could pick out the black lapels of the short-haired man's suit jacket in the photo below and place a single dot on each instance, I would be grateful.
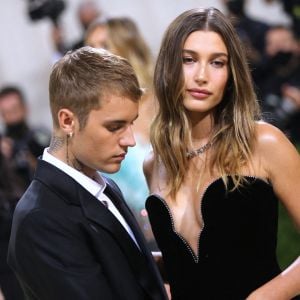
(138, 259)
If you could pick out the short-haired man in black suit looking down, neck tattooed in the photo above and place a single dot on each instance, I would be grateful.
(65, 243)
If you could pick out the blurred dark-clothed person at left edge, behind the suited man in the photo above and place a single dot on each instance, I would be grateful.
(20, 145)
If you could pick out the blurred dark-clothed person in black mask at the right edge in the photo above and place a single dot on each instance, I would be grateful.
(279, 81)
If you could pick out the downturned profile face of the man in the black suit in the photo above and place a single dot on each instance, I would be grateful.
(103, 143)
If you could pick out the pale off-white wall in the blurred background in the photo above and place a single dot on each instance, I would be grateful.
(26, 52)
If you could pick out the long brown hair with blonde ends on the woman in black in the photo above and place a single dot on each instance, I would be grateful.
(234, 120)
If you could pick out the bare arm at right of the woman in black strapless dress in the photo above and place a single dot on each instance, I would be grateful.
(281, 161)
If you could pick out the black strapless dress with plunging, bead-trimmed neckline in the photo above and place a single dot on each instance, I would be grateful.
(236, 247)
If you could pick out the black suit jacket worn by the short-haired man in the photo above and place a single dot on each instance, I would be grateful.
(65, 244)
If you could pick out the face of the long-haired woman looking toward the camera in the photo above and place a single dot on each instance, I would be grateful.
(205, 68)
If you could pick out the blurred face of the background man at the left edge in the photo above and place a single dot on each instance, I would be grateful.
(12, 110)
